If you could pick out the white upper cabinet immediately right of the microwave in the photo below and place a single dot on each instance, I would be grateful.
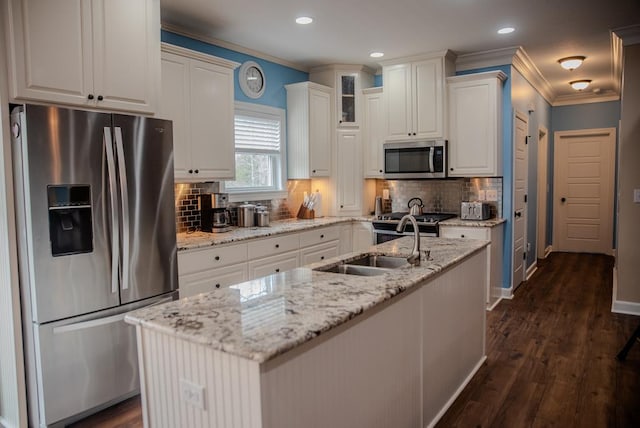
(475, 123)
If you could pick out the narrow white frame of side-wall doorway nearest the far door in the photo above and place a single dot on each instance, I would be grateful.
(543, 193)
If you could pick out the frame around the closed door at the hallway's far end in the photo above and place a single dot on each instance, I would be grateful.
(610, 133)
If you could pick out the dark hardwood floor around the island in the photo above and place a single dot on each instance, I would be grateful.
(550, 357)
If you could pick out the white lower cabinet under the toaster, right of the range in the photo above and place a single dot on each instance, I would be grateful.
(494, 263)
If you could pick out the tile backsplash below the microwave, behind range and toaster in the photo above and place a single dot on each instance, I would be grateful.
(439, 195)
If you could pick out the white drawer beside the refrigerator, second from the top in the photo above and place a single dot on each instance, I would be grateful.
(210, 280)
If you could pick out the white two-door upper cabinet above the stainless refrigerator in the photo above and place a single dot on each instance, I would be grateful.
(90, 53)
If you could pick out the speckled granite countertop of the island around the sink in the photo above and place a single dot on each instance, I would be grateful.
(266, 317)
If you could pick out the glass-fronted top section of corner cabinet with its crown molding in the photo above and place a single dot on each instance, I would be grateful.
(348, 82)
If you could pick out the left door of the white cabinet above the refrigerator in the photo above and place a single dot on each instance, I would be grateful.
(51, 52)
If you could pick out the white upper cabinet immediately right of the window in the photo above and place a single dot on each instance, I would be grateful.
(309, 130)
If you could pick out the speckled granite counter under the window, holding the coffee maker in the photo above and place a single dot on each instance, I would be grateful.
(189, 241)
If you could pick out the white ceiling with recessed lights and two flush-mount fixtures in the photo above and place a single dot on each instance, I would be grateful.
(346, 31)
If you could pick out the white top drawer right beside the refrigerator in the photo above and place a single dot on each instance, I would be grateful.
(211, 258)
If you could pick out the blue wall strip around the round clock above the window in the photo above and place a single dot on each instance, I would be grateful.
(276, 75)
